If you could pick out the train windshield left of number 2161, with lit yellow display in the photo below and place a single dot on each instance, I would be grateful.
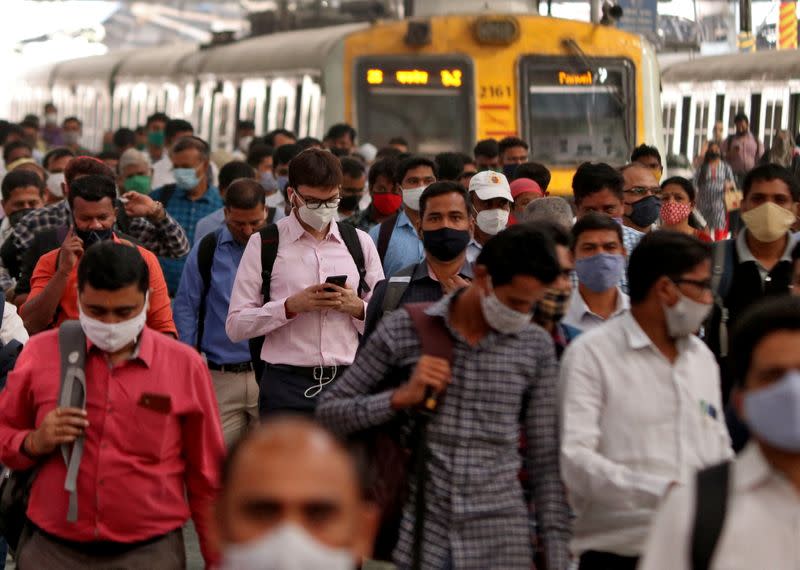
(427, 101)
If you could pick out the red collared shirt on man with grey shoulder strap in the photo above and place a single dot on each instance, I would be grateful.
(139, 464)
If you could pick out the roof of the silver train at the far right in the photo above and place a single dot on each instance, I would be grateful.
(758, 66)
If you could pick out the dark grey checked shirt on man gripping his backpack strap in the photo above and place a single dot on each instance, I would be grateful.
(475, 509)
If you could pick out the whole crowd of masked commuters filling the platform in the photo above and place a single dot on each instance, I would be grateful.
(330, 355)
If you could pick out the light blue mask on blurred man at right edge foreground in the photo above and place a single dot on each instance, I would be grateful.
(773, 413)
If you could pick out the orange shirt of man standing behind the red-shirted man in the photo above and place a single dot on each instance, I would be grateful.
(159, 312)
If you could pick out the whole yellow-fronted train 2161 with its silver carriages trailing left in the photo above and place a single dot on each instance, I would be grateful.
(575, 91)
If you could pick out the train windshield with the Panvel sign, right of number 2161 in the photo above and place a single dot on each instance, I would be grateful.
(578, 110)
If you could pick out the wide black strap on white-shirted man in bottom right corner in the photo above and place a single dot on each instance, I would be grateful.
(711, 505)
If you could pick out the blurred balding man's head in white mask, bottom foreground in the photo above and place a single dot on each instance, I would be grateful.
(291, 499)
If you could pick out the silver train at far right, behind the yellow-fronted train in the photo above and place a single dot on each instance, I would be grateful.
(696, 94)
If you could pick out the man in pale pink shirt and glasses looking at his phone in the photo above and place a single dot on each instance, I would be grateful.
(311, 327)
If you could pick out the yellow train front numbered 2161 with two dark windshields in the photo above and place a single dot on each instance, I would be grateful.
(573, 90)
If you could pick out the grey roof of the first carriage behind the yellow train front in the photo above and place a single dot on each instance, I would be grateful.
(302, 49)
